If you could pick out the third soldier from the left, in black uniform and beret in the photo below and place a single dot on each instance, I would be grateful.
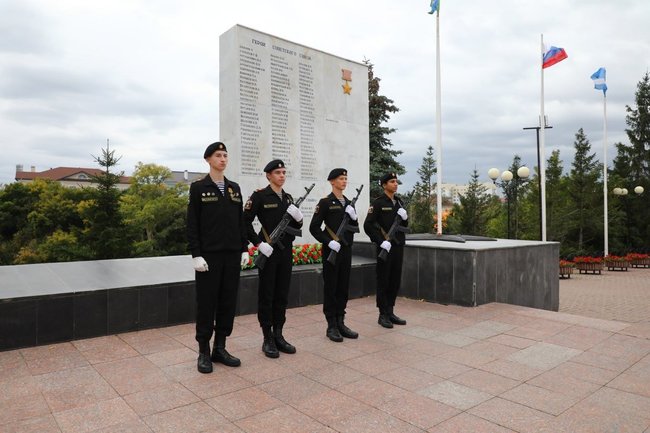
(331, 210)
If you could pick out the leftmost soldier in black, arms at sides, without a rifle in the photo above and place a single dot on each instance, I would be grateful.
(217, 241)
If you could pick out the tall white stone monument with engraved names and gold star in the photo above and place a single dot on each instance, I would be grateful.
(279, 99)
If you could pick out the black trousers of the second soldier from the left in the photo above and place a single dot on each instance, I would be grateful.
(273, 288)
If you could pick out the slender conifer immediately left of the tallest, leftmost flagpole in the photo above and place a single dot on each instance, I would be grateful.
(422, 202)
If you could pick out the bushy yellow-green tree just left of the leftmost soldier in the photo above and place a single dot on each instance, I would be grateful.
(155, 213)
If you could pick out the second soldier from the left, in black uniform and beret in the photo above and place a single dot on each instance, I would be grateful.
(269, 206)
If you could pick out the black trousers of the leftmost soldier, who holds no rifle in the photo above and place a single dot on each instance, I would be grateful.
(216, 294)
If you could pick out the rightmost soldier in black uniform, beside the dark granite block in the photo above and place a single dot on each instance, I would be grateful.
(381, 214)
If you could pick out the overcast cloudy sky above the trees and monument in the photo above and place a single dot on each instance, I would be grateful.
(144, 73)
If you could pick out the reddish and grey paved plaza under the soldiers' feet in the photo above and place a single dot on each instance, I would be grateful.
(496, 368)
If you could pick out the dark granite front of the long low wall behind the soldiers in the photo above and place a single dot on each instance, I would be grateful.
(50, 318)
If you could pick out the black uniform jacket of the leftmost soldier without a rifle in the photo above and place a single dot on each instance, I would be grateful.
(214, 222)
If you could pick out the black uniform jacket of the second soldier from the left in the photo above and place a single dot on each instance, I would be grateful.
(269, 209)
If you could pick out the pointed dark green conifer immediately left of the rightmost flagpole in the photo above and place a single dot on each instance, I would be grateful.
(583, 190)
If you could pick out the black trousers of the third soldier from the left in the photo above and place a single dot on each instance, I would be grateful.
(336, 281)
